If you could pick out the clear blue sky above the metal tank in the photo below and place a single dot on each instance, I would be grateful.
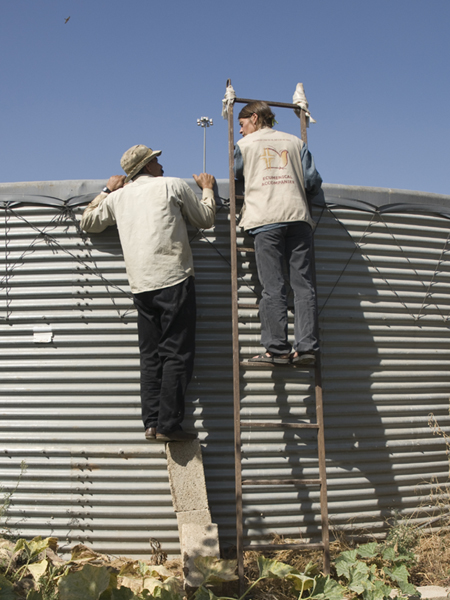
(74, 96)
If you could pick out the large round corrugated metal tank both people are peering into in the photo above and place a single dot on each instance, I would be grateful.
(69, 379)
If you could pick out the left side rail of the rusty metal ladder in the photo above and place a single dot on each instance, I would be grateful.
(236, 376)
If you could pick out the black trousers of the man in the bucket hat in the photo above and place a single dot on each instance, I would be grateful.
(166, 328)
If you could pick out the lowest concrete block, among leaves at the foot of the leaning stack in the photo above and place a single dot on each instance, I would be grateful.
(198, 540)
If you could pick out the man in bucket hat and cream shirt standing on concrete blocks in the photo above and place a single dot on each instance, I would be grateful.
(150, 212)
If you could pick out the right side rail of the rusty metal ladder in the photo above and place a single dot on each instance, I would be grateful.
(319, 401)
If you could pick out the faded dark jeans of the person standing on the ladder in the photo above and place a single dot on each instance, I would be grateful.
(291, 245)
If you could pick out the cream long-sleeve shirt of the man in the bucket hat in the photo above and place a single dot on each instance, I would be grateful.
(150, 215)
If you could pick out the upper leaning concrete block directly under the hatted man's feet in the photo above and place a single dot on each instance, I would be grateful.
(186, 476)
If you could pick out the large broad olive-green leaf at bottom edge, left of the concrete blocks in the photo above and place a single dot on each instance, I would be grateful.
(86, 584)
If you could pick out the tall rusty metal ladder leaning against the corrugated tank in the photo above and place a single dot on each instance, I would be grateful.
(238, 365)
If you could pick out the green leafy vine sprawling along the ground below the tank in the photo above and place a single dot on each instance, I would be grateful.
(369, 572)
